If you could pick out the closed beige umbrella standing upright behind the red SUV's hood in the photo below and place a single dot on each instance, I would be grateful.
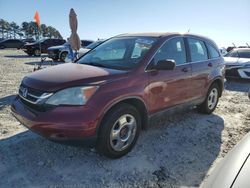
(74, 39)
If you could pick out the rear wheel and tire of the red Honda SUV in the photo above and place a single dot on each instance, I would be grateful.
(211, 101)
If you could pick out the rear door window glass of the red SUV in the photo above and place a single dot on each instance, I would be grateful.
(198, 51)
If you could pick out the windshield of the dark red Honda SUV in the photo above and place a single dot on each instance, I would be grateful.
(119, 53)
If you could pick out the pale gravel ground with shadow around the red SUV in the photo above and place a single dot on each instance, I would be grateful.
(178, 151)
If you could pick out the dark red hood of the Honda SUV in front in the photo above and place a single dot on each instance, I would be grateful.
(68, 75)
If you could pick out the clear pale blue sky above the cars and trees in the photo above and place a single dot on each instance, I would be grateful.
(224, 21)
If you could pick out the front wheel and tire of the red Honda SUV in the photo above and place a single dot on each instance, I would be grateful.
(125, 135)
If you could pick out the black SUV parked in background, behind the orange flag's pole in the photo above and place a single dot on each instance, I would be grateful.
(34, 48)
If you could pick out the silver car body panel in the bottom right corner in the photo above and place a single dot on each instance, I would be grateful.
(233, 171)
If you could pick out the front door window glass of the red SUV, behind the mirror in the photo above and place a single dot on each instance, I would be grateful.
(173, 49)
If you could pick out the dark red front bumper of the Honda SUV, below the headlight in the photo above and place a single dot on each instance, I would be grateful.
(60, 123)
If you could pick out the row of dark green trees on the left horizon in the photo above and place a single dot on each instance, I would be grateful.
(27, 30)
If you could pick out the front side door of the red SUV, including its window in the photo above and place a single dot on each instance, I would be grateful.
(168, 88)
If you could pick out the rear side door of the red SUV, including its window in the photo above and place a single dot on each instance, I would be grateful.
(201, 68)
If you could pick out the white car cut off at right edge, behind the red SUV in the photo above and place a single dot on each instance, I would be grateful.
(238, 63)
